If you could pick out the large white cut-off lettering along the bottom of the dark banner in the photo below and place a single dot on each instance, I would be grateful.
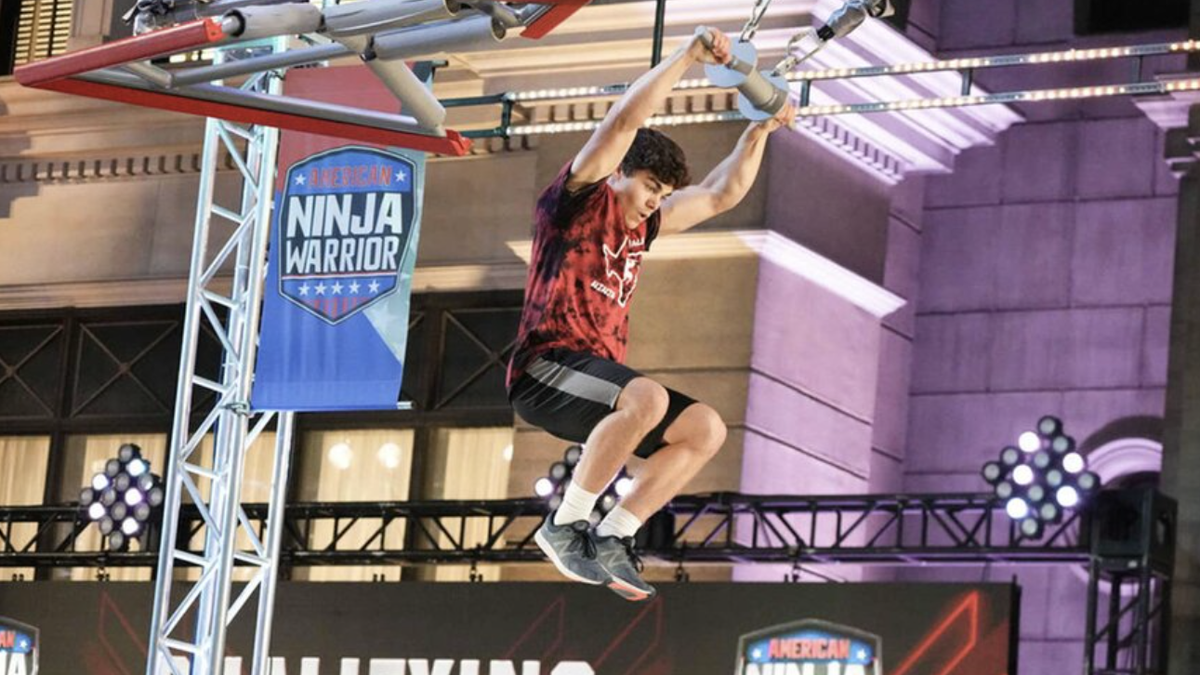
(311, 666)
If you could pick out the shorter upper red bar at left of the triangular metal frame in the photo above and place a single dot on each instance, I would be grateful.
(137, 49)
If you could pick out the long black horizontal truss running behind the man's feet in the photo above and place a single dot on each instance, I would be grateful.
(711, 529)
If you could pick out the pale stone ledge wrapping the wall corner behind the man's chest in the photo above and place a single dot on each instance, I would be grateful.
(773, 248)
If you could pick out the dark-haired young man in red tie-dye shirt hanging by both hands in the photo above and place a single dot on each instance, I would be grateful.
(593, 224)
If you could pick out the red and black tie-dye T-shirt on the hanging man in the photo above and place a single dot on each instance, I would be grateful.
(583, 274)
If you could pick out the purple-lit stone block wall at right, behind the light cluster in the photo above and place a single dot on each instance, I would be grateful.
(1045, 285)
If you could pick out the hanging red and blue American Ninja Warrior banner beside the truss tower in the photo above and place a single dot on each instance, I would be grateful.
(343, 250)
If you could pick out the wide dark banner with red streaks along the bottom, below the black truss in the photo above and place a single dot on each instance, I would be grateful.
(412, 629)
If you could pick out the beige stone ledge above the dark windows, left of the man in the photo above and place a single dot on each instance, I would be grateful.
(133, 292)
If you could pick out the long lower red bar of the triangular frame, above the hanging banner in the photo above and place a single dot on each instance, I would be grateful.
(453, 144)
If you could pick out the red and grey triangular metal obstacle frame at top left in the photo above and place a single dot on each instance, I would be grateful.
(385, 34)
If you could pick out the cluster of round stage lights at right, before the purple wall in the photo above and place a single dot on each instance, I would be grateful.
(1042, 479)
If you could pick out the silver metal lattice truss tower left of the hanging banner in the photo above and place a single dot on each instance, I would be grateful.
(189, 628)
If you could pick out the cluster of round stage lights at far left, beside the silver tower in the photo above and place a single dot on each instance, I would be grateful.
(123, 498)
